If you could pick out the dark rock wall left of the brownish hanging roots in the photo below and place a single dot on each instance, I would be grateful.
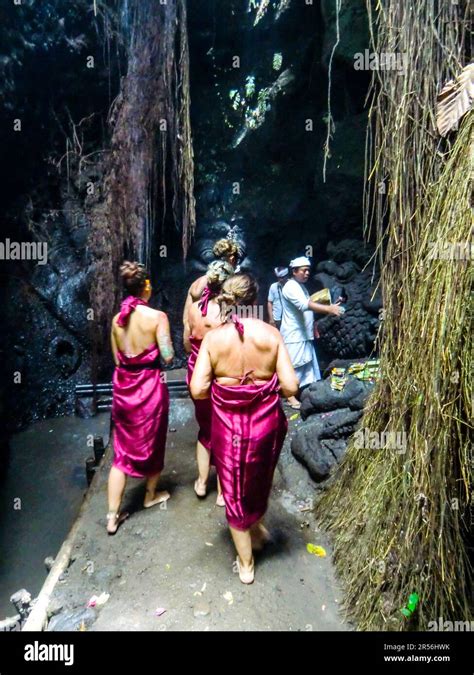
(48, 169)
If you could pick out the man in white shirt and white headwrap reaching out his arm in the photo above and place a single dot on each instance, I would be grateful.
(297, 325)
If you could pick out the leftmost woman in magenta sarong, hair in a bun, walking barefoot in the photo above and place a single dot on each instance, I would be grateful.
(140, 397)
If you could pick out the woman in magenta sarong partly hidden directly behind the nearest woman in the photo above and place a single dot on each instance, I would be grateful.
(201, 317)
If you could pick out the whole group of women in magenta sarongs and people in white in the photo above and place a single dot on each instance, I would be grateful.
(238, 369)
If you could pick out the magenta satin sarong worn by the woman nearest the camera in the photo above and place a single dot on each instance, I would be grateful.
(248, 430)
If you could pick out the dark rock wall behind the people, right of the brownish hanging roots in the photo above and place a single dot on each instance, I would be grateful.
(268, 189)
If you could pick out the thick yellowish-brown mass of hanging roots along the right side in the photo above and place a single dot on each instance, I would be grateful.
(401, 519)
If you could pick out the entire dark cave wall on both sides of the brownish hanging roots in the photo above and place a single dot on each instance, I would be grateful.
(283, 205)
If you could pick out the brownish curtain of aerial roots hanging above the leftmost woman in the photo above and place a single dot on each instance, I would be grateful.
(150, 162)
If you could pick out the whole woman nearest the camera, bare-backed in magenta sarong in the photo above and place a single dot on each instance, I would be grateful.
(243, 365)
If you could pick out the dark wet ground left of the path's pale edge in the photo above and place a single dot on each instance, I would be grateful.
(40, 496)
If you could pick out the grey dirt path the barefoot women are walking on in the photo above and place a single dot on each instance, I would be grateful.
(180, 557)
